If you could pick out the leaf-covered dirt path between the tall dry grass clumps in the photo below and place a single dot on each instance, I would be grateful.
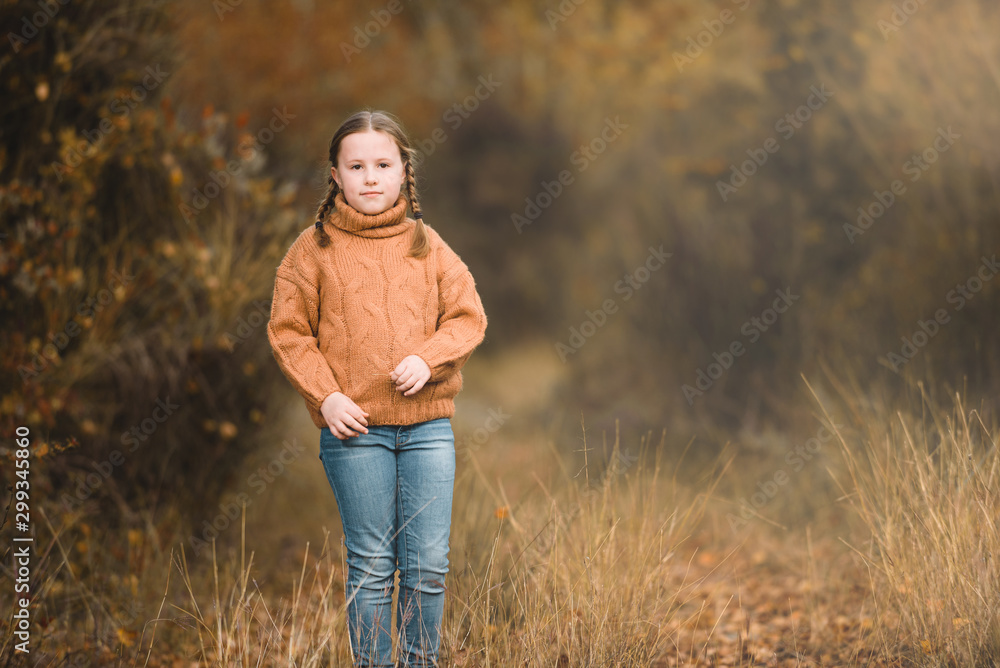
(769, 604)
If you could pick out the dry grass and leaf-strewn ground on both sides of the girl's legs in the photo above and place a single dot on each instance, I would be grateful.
(611, 558)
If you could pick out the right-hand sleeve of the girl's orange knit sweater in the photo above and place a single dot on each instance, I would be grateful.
(461, 318)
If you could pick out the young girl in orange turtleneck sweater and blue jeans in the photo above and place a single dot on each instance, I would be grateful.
(373, 317)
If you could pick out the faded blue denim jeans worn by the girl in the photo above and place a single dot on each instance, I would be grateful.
(394, 489)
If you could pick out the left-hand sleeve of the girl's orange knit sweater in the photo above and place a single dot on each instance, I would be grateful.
(293, 327)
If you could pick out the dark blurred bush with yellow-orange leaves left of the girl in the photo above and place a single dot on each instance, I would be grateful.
(137, 266)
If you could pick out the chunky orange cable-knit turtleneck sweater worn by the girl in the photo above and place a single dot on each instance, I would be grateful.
(343, 317)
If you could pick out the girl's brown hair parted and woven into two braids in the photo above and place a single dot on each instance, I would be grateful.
(381, 121)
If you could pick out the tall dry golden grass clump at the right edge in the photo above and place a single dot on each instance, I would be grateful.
(923, 481)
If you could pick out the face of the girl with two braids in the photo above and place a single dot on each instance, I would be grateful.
(369, 170)
